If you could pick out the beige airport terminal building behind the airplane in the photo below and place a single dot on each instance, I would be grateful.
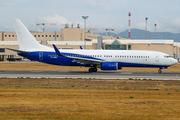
(73, 38)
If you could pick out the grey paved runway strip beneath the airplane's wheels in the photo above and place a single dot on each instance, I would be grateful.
(97, 75)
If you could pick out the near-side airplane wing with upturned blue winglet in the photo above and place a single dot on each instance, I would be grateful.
(79, 59)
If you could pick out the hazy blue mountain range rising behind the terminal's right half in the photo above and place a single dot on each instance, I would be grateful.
(140, 34)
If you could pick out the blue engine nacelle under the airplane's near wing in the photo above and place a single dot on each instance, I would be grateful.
(109, 66)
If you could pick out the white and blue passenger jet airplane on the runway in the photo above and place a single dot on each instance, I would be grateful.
(103, 59)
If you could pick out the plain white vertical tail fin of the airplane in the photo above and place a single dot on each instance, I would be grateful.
(25, 39)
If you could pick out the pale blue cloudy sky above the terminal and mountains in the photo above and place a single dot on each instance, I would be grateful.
(111, 14)
